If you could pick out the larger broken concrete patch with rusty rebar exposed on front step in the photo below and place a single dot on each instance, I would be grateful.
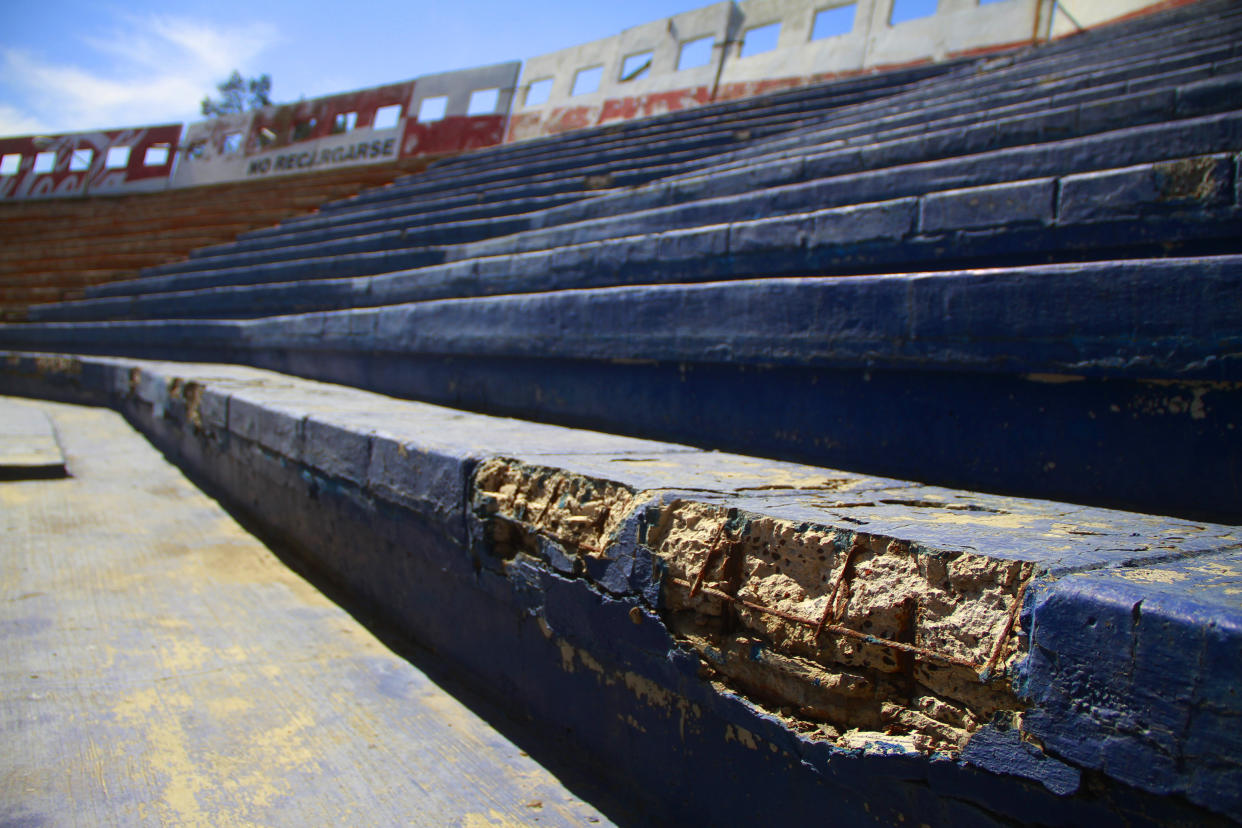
(844, 630)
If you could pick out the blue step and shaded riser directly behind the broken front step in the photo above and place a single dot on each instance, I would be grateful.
(1099, 383)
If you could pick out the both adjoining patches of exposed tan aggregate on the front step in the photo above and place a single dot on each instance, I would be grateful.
(838, 631)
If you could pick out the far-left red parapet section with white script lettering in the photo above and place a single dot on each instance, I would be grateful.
(91, 151)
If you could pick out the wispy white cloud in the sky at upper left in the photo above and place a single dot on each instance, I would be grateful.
(160, 69)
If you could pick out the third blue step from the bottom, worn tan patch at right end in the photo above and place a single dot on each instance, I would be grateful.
(1174, 208)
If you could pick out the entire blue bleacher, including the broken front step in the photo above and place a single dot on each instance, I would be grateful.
(880, 364)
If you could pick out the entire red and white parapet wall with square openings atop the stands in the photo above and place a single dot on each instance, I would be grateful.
(723, 52)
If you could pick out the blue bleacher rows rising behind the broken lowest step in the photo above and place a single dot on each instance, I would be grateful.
(1053, 177)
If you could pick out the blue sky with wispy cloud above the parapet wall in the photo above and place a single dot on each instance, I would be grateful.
(70, 66)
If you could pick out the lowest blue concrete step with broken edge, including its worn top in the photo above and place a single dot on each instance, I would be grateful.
(695, 613)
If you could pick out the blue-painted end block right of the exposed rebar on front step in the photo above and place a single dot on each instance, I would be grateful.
(1136, 675)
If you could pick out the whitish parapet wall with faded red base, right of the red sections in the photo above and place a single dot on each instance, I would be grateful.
(732, 50)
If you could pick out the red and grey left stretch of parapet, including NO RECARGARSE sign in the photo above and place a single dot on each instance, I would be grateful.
(432, 115)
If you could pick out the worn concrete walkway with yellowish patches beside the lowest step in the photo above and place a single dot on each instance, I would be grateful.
(160, 666)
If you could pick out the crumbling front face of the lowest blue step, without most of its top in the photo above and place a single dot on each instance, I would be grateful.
(588, 618)
